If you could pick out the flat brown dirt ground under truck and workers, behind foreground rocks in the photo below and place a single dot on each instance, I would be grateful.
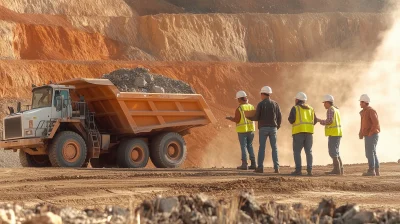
(96, 188)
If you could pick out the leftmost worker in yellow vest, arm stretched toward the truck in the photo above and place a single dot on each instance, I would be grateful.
(245, 129)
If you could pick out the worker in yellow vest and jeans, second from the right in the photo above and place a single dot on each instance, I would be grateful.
(333, 130)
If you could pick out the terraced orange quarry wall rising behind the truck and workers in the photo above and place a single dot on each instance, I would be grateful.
(59, 39)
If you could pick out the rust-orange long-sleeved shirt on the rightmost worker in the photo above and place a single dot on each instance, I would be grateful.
(369, 122)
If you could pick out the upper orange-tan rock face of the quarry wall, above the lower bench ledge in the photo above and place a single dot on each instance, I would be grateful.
(214, 37)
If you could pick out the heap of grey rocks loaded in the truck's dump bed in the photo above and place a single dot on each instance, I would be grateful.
(141, 80)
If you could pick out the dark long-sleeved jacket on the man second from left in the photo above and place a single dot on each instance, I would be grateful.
(268, 114)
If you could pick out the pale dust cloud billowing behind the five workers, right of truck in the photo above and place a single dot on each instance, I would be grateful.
(346, 81)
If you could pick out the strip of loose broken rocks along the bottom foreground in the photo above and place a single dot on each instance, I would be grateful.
(200, 209)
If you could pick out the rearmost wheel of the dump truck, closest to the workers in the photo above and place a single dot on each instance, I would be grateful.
(168, 150)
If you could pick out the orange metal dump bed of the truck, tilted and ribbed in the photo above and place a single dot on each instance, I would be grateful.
(140, 113)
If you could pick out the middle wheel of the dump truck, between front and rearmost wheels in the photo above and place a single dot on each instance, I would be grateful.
(133, 153)
